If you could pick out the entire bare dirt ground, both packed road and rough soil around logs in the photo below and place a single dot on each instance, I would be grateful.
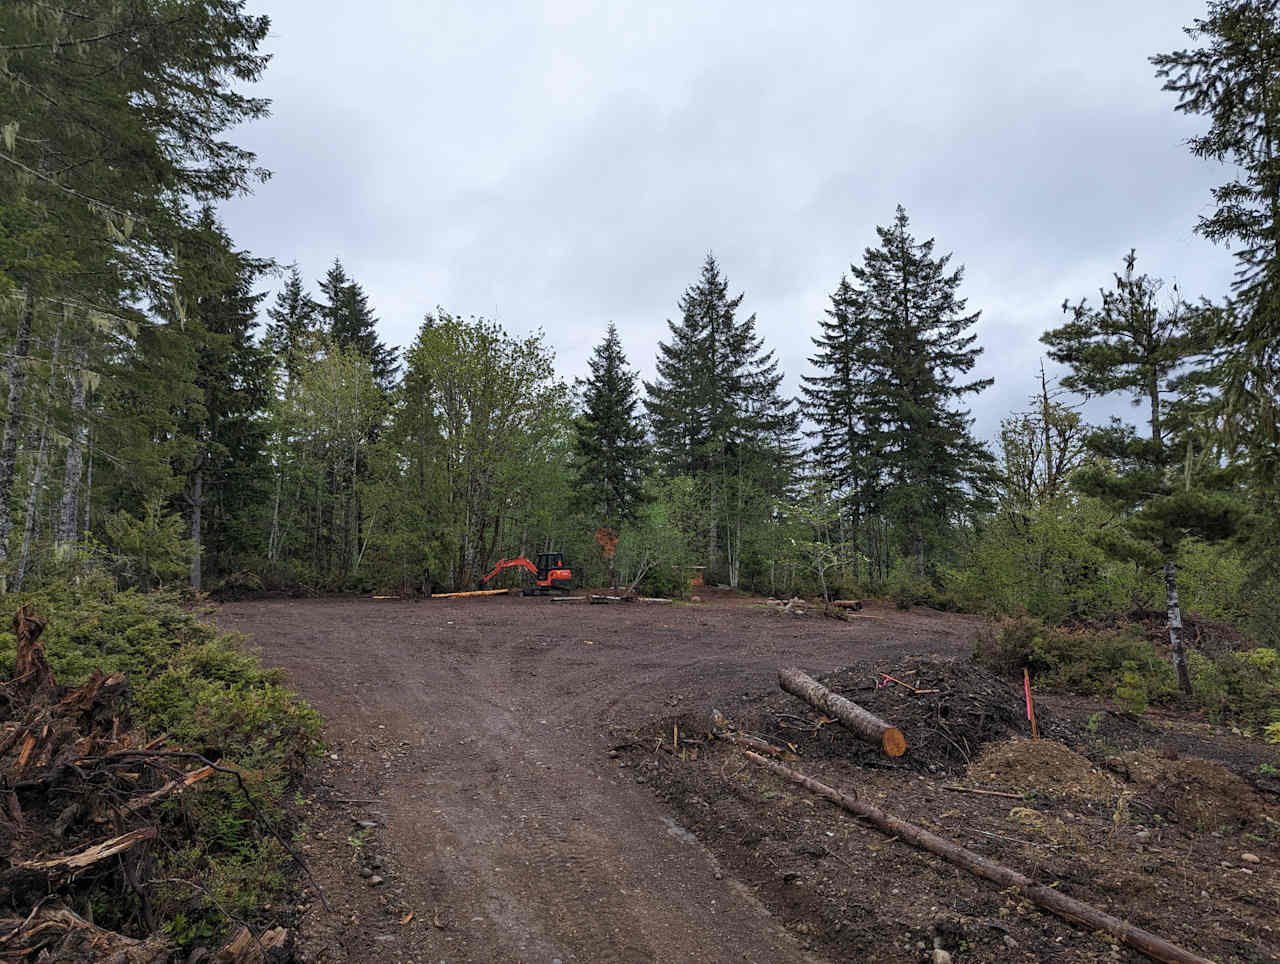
(514, 765)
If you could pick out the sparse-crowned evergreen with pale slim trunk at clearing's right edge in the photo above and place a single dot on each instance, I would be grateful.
(1130, 345)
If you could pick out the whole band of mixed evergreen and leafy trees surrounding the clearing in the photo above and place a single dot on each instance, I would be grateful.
(153, 426)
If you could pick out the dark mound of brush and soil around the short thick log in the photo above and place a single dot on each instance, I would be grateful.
(947, 710)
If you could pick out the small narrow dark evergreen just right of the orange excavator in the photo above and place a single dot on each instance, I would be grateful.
(609, 440)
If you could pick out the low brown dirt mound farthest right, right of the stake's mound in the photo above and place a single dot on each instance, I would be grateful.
(1194, 793)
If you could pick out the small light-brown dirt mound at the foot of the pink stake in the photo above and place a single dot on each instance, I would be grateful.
(1044, 766)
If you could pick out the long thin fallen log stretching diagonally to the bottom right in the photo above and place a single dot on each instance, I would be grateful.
(975, 864)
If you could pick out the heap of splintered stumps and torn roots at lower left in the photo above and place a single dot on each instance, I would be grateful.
(79, 789)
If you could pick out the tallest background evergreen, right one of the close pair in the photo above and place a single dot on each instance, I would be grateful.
(925, 464)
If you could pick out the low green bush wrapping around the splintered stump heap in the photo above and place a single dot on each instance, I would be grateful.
(213, 697)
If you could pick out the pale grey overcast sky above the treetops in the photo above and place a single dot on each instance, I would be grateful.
(560, 166)
